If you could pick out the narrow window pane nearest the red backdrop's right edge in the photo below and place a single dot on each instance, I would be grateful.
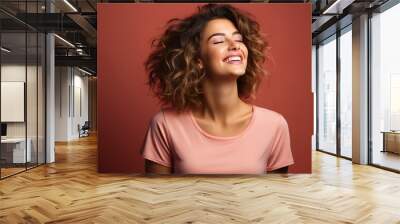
(327, 95)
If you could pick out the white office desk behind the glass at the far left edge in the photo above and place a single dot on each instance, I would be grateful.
(13, 150)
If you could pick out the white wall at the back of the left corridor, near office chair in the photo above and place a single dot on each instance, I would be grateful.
(71, 93)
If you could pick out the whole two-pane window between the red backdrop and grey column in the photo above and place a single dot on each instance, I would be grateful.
(335, 137)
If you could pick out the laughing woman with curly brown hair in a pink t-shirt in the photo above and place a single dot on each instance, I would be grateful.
(203, 68)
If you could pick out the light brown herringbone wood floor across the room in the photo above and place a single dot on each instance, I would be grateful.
(71, 191)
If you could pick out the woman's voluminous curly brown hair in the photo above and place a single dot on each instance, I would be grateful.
(174, 74)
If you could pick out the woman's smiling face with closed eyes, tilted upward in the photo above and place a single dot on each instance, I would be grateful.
(222, 51)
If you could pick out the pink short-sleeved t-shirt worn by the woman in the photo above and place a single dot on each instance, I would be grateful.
(176, 140)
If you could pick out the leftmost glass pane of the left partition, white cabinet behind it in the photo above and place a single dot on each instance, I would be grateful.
(13, 94)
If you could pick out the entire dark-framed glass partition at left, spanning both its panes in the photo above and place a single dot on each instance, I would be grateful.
(22, 88)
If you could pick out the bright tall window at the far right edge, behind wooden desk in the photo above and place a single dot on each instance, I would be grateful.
(385, 88)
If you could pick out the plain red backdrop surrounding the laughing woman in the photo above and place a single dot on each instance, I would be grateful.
(125, 105)
